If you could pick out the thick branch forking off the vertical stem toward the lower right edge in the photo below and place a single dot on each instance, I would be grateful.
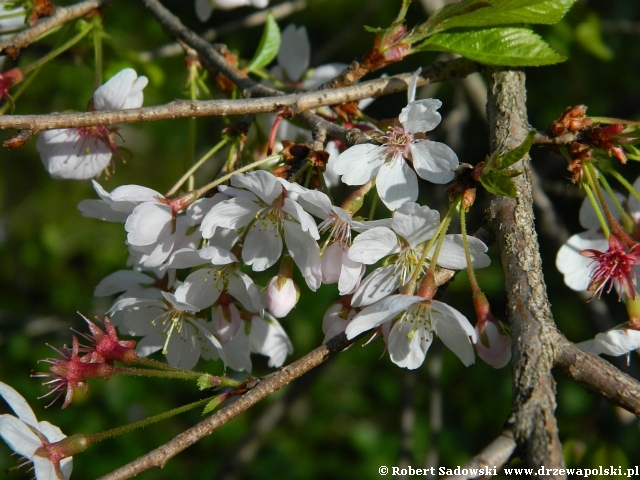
(597, 375)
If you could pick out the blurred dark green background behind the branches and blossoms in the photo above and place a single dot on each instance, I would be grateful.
(345, 419)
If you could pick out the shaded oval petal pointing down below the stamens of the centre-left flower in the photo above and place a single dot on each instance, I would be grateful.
(263, 245)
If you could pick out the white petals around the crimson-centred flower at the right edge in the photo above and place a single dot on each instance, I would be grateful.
(577, 268)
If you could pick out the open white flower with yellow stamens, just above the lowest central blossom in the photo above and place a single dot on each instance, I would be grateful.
(411, 227)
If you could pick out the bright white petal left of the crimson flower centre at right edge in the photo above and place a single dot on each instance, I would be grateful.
(575, 267)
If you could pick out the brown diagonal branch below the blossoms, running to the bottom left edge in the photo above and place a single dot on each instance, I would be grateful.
(266, 386)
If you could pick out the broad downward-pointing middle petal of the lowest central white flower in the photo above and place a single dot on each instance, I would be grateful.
(408, 347)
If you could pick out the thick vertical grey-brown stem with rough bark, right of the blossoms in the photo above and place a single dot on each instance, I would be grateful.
(532, 418)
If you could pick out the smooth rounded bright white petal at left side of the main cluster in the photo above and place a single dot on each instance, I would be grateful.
(149, 223)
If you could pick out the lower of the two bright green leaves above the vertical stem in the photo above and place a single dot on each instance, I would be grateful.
(511, 46)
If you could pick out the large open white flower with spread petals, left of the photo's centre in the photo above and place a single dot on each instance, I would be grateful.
(264, 208)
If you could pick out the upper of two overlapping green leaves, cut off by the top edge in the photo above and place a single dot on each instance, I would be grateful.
(508, 12)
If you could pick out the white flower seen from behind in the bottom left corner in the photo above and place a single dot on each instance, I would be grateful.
(32, 439)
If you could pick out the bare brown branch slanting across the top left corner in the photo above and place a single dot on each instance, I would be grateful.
(61, 15)
